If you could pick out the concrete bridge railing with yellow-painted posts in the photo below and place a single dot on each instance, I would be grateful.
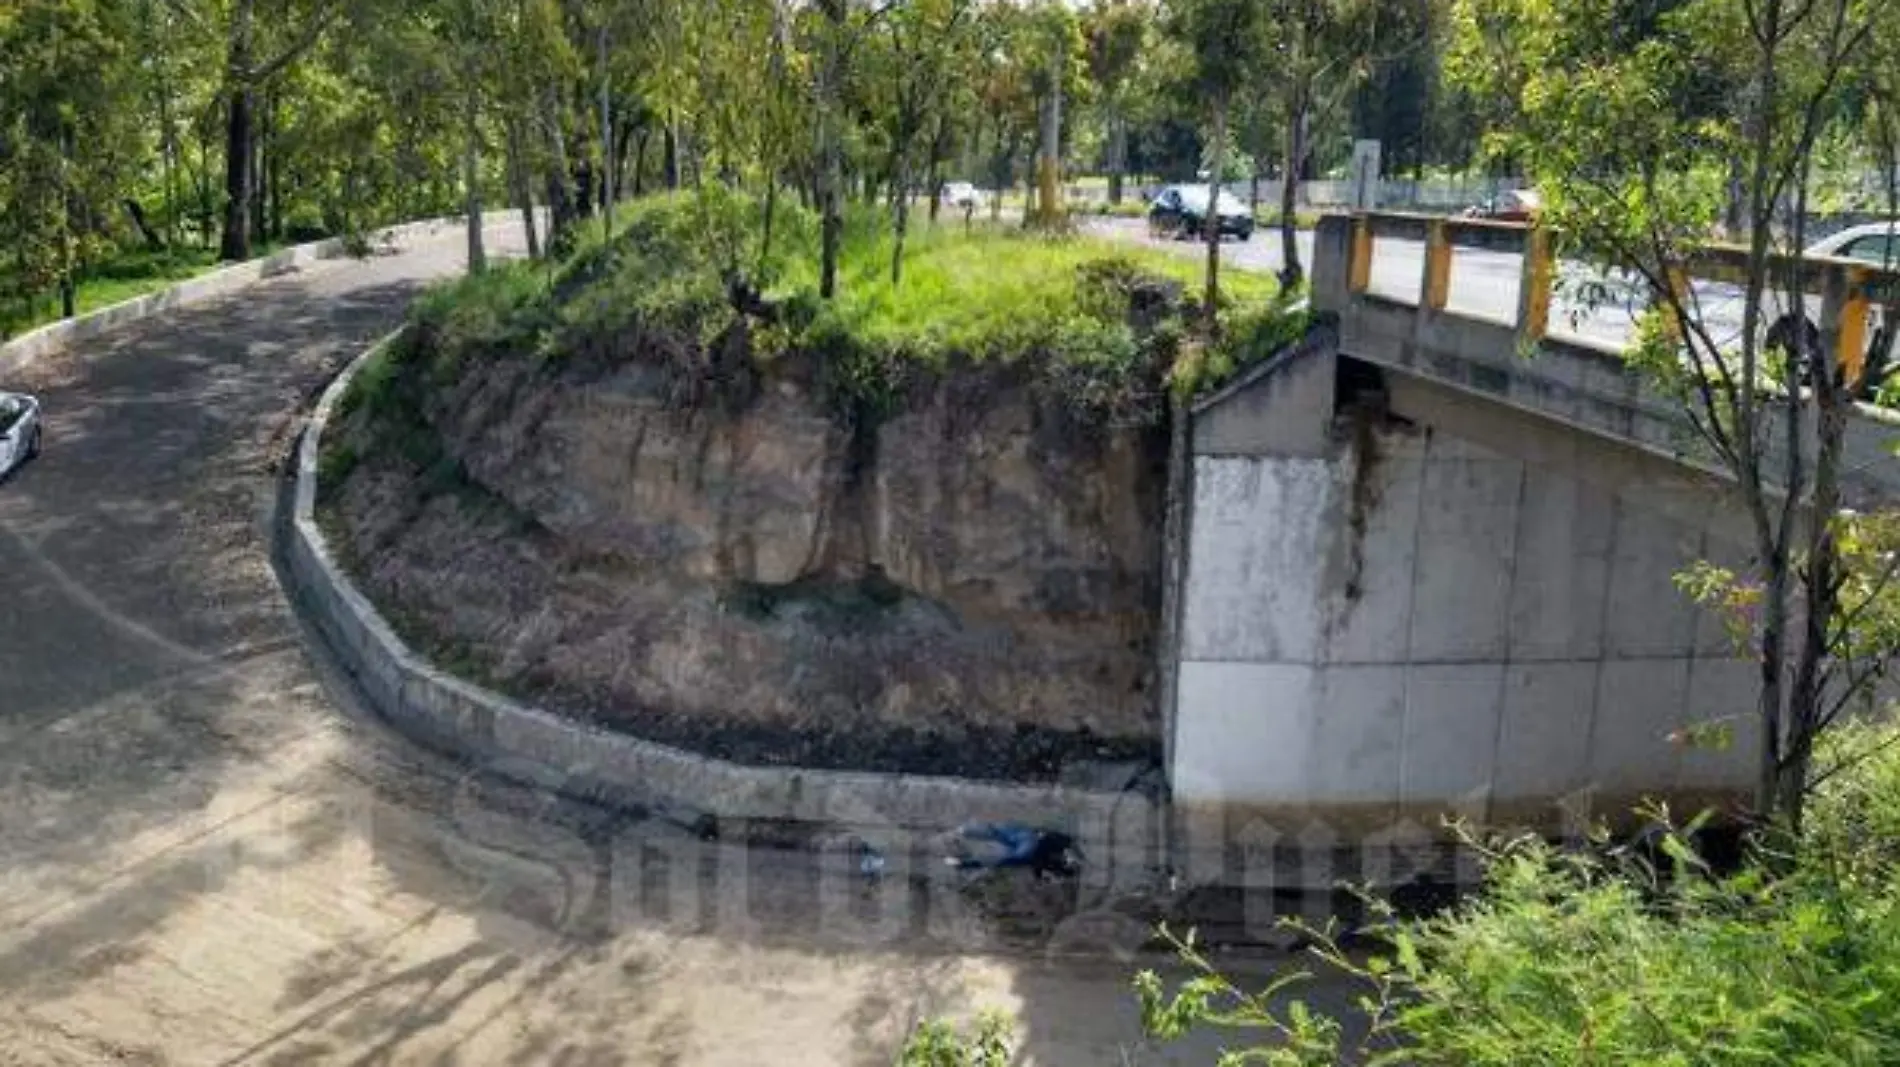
(1848, 290)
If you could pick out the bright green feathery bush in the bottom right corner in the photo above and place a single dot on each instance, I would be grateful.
(1625, 956)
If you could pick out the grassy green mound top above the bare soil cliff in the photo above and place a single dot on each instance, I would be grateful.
(694, 276)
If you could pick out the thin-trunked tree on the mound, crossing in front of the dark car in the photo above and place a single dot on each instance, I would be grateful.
(1228, 43)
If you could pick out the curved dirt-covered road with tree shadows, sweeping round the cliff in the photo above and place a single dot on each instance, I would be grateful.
(210, 857)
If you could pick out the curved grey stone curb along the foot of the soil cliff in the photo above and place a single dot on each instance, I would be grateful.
(546, 751)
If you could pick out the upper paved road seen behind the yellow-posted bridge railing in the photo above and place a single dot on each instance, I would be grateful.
(1483, 284)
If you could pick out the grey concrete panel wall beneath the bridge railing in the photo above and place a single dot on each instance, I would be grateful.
(1460, 608)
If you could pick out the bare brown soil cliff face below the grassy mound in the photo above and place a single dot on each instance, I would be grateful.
(959, 572)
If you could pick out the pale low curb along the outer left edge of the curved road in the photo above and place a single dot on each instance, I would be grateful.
(54, 337)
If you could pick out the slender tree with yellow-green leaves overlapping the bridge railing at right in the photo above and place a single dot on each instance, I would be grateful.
(1620, 115)
